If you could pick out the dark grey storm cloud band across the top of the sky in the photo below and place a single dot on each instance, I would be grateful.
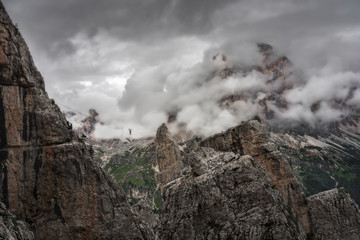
(282, 23)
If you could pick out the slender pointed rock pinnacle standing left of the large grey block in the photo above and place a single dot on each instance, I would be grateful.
(167, 156)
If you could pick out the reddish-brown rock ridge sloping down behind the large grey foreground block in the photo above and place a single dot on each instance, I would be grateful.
(251, 138)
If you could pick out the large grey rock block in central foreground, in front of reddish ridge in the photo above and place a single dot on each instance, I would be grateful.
(232, 199)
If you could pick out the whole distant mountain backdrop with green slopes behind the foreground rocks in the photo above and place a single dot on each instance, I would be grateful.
(321, 157)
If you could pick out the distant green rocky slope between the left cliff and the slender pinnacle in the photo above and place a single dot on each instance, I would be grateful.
(132, 162)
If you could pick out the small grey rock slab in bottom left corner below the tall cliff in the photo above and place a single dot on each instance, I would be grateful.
(11, 228)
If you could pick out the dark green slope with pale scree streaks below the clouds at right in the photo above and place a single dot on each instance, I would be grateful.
(323, 163)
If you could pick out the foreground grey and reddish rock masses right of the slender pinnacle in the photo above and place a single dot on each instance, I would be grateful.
(224, 193)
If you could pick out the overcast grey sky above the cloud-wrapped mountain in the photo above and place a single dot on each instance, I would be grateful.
(87, 49)
